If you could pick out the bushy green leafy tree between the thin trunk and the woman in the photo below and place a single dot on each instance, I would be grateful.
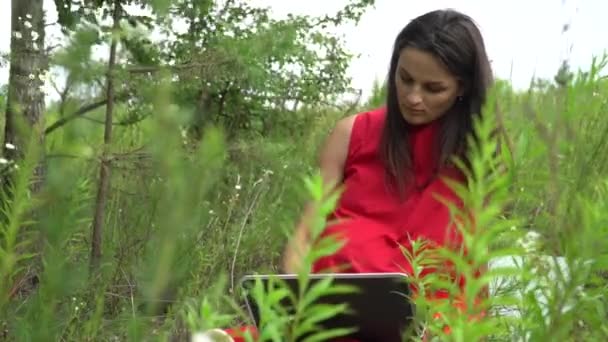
(248, 71)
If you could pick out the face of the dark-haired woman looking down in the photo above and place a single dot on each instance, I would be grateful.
(425, 87)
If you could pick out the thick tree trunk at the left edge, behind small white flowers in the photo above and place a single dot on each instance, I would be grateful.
(28, 65)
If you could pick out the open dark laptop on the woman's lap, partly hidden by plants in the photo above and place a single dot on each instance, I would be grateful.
(380, 310)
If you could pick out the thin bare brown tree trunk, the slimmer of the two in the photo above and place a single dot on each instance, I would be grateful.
(105, 167)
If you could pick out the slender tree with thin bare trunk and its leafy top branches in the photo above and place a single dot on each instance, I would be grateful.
(75, 59)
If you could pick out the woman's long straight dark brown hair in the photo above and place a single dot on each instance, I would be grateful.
(455, 40)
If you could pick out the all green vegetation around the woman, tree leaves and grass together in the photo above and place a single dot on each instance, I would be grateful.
(215, 127)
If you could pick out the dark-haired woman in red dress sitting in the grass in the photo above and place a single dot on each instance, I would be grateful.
(390, 162)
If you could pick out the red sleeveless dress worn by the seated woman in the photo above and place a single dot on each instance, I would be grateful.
(372, 219)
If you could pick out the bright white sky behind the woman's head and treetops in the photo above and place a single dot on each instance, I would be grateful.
(523, 38)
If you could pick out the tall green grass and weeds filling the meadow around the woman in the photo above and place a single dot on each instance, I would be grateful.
(185, 221)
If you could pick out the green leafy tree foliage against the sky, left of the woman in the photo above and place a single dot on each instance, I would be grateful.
(233, 64)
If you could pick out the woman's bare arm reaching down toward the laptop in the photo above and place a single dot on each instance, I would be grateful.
(332, 158)
